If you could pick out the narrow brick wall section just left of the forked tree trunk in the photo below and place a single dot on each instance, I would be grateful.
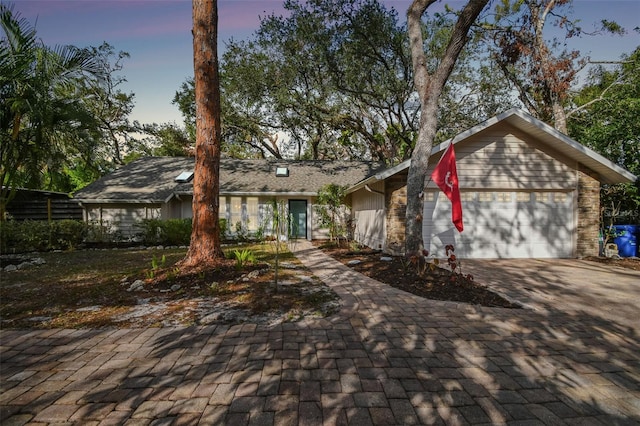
(396, 208)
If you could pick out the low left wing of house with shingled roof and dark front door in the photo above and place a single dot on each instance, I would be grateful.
(161, 188)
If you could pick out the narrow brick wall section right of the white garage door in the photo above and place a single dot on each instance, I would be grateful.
(588, 225)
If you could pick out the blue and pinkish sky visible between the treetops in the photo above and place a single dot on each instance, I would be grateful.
(157, 36)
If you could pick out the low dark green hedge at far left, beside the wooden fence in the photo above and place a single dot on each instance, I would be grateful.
(41, 235)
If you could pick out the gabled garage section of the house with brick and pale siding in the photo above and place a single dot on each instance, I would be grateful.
(527, 190)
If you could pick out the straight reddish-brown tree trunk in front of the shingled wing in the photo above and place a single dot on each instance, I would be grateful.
(205, 235)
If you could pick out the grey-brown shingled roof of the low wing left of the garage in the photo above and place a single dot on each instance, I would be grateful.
(152, 179)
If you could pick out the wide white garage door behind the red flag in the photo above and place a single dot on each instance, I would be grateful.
(502, 224)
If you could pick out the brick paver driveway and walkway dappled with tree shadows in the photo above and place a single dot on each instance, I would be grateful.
(571, 356)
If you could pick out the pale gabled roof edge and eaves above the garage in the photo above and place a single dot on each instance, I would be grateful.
(608, 171)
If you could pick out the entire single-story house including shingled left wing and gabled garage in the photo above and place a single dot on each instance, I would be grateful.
(527, 190)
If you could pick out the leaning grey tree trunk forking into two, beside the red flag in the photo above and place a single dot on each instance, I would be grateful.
(429, 87)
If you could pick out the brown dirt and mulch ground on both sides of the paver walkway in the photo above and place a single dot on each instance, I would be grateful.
(142, 288)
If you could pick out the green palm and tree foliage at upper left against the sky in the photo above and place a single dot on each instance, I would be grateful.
(63, 117)
